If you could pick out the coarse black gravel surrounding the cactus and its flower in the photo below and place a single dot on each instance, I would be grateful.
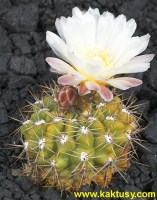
(23, 50)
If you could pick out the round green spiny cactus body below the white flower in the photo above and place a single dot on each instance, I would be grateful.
(85, 144)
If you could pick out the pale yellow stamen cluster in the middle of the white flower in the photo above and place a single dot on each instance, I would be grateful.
(98, 53)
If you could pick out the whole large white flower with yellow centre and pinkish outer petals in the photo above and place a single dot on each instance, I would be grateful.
(95, 48)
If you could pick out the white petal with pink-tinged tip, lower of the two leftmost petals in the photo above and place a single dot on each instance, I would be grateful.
(59, 65)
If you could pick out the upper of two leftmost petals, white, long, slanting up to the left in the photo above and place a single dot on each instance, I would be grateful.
(58, 45)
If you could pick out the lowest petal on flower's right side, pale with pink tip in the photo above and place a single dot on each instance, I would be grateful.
(124, 83)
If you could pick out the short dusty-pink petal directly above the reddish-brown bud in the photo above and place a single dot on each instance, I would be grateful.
(68, 80)
